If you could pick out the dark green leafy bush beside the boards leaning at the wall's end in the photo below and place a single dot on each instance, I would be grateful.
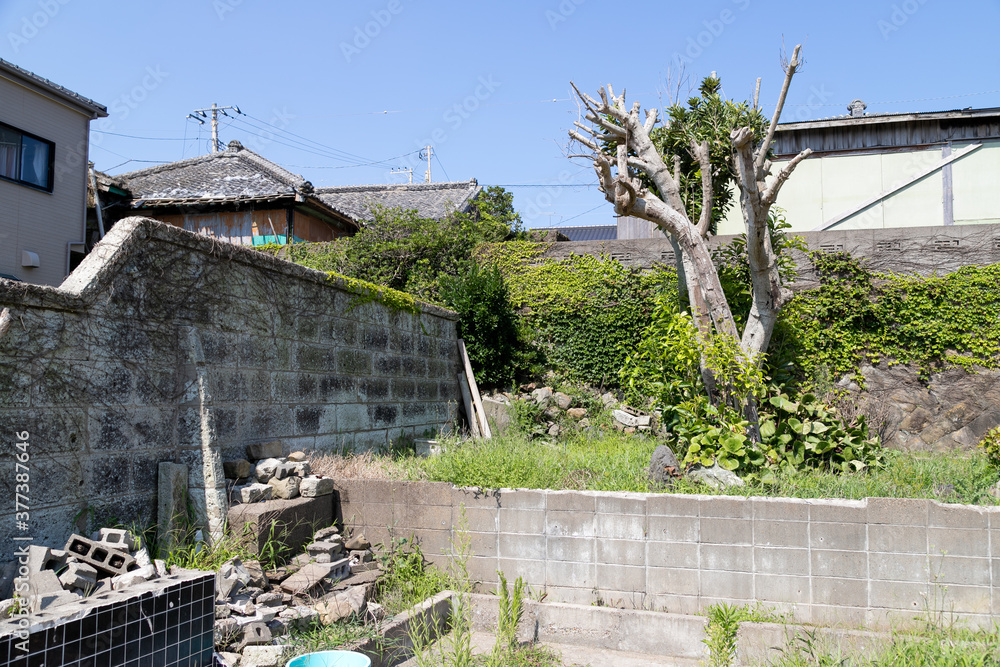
(487, 323)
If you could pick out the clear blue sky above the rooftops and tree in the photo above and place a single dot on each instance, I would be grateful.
(330, 87)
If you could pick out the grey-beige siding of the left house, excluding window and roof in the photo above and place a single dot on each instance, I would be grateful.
(34, 220)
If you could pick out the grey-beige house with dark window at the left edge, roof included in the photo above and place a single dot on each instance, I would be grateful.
(44, 139)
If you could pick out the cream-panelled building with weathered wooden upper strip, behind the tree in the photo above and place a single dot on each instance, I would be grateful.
(881, 171)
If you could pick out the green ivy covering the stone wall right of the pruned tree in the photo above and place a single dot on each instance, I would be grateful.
(857, 316)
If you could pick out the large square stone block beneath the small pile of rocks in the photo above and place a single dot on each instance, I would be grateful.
(293, 520)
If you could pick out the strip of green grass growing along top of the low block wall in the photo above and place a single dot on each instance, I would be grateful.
(618, 462)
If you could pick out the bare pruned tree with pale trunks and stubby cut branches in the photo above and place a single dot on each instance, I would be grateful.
(618, 139)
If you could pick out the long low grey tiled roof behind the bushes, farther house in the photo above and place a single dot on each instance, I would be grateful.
(431, 200)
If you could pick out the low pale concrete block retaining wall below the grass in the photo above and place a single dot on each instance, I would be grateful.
(873, 562)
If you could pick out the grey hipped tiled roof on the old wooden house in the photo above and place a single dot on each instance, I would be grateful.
(236, 174)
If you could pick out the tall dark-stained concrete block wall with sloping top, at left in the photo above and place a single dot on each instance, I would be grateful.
(165, 345)
